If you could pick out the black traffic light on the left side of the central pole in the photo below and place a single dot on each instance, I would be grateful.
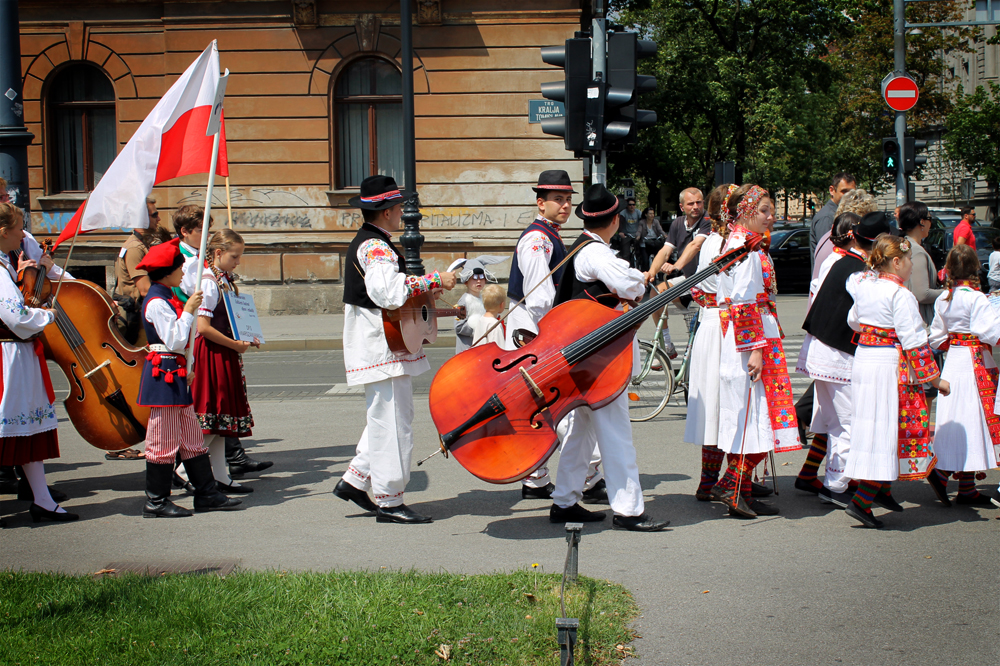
(574, 57)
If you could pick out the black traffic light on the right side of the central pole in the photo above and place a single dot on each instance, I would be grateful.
(622, 117)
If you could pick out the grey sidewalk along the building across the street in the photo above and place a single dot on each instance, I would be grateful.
(325, 332)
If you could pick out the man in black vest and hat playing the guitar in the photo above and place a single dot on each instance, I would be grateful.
(376, 279)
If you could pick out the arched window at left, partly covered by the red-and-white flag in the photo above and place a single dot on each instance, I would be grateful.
(82, 134)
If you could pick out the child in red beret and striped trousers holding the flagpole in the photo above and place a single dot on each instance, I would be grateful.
(163, 388)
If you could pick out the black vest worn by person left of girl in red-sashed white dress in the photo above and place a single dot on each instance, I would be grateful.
(827, 318)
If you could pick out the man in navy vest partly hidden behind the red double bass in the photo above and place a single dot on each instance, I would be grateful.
(535, 273)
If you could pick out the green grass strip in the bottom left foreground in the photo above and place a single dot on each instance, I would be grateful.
(314, 618)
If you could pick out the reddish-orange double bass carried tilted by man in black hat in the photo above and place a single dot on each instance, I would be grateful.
(497, 410)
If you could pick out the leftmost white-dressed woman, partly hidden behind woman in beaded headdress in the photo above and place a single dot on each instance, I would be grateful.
(702, 426)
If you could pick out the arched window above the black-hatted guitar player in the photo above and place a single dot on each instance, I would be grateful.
(367, 103)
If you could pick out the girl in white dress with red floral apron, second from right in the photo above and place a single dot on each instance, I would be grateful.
(889, 417)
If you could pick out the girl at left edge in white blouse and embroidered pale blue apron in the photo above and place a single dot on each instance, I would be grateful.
(27, 414)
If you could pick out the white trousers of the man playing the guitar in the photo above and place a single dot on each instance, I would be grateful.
(385, 449)
